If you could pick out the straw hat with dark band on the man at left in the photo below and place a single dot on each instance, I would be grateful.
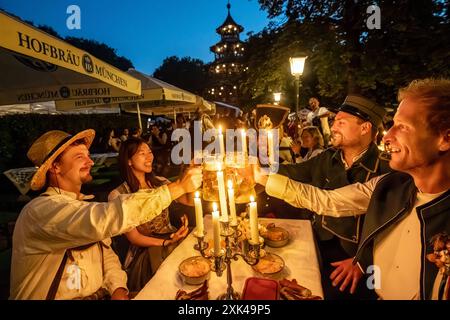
(49, 146)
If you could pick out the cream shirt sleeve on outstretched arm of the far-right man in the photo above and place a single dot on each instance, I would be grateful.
(350, 200)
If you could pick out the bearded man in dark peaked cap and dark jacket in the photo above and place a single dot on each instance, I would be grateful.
(353, 157)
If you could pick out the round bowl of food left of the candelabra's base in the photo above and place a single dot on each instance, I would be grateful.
(194, 270)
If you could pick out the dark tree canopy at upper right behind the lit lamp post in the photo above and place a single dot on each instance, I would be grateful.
(343, 54)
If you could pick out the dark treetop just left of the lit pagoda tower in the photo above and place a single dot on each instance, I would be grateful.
(187, 73)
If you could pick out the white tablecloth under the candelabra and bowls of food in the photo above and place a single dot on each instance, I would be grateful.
(299, 255)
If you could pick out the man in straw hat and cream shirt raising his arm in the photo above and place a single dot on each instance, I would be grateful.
(61, 243)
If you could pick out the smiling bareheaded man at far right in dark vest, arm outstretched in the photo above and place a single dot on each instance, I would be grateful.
(403, 243)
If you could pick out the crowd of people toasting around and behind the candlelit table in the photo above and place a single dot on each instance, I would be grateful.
(365, 210)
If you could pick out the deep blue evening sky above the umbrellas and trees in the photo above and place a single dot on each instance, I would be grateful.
(145, 31)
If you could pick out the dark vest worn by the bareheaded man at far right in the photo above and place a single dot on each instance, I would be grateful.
(392, 199)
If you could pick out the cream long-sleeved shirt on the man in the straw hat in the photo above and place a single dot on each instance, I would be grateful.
(57, 220)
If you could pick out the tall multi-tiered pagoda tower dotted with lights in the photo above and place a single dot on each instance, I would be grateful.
(227, 65)
